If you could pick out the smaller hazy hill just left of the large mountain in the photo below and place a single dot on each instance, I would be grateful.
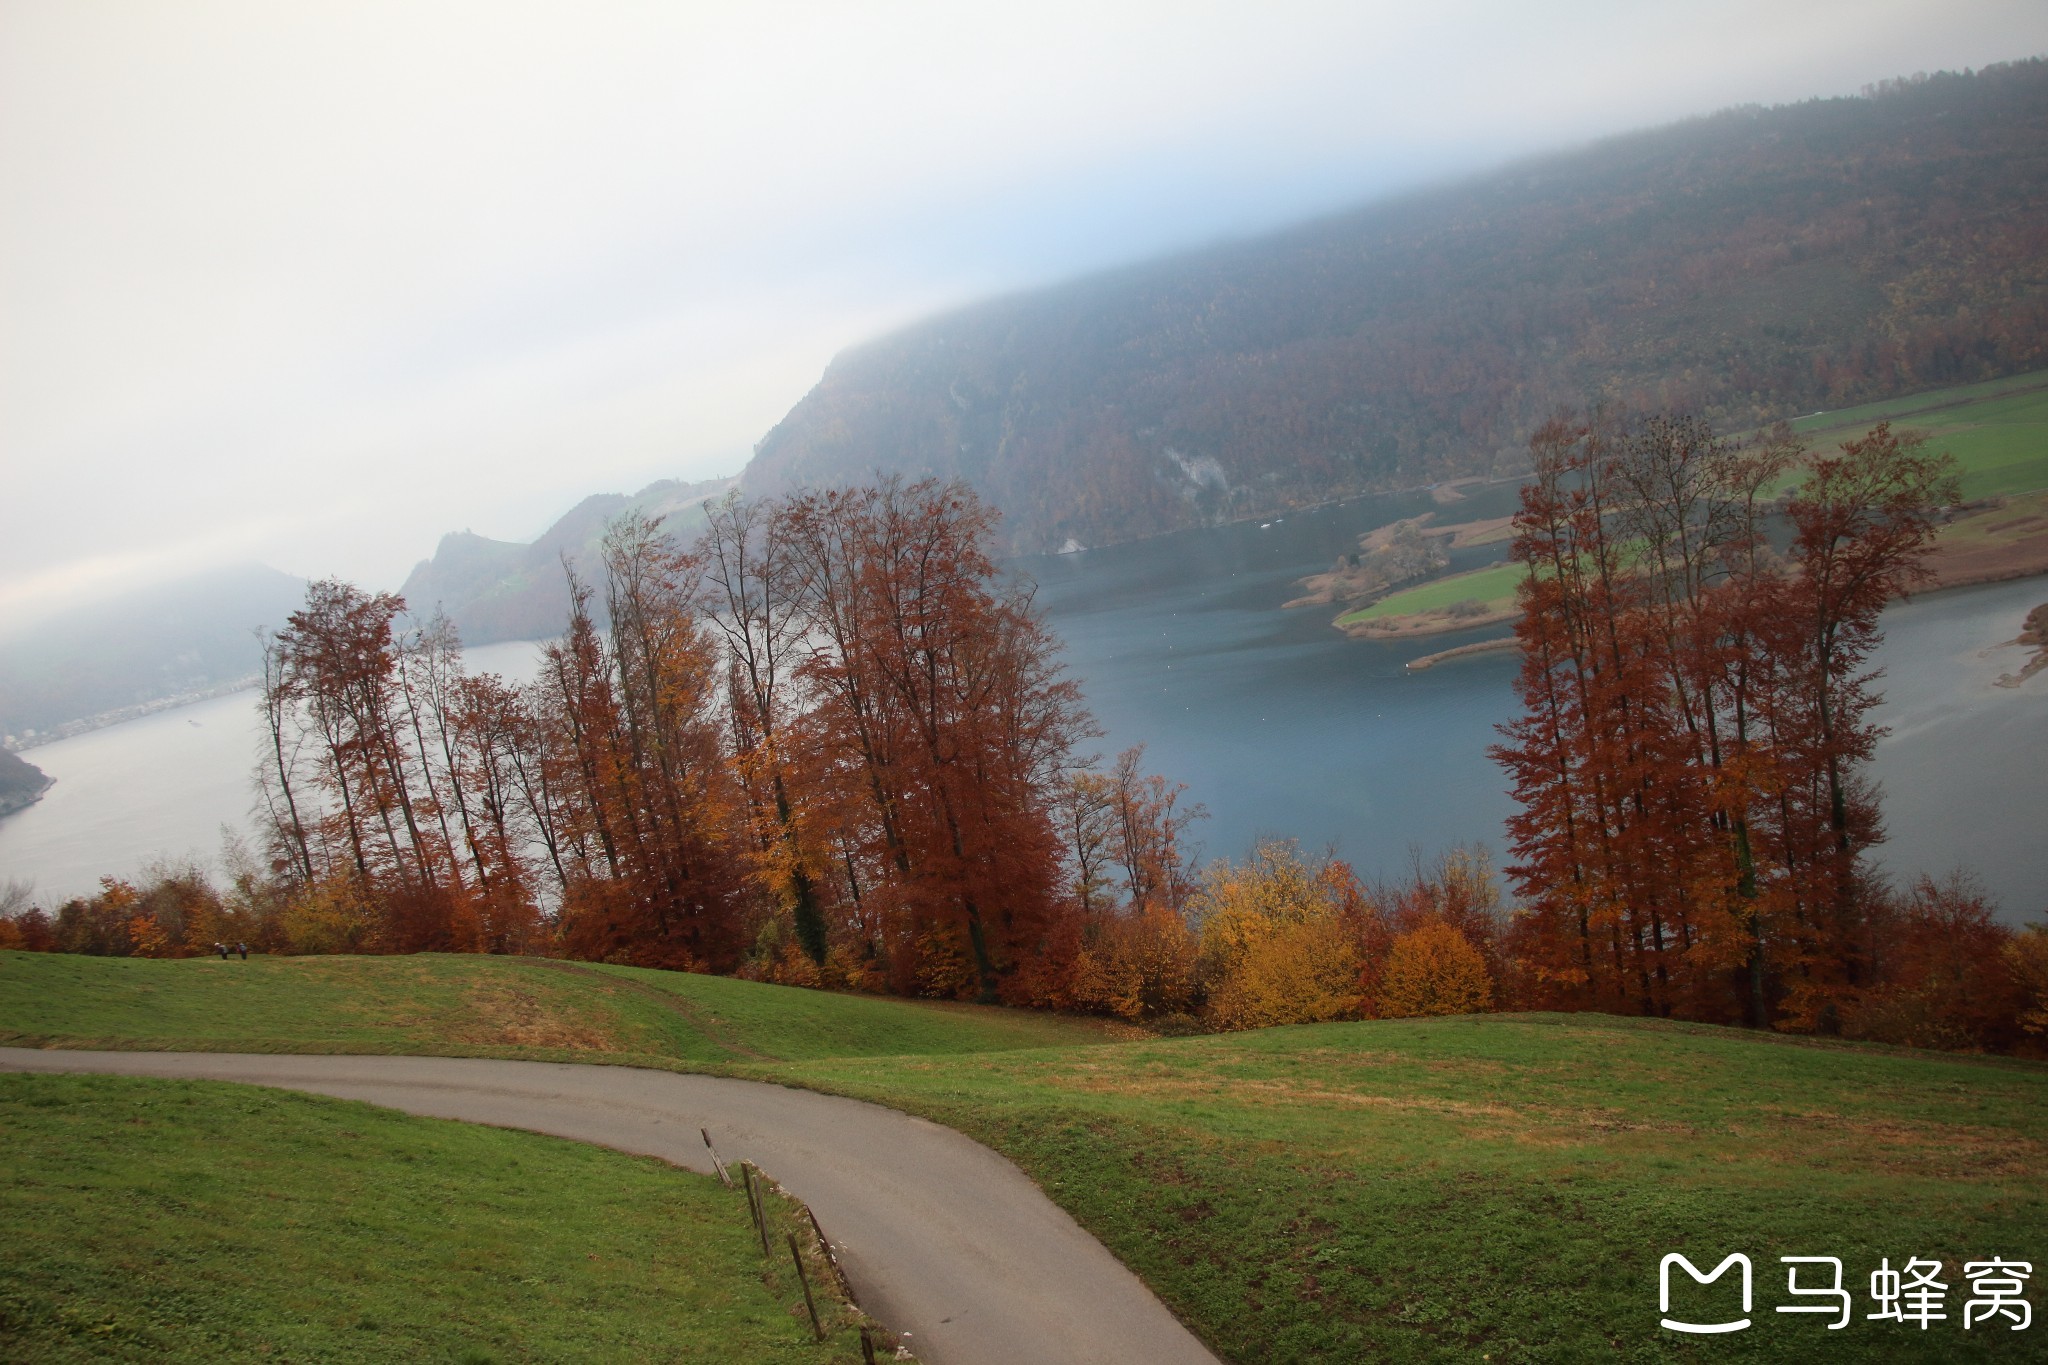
(503, 590)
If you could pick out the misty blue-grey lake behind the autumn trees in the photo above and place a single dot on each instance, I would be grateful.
(1277, 723)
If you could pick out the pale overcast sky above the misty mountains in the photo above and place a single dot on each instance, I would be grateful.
(314, 283)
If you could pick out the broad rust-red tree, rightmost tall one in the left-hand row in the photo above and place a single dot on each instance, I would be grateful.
(939, 719)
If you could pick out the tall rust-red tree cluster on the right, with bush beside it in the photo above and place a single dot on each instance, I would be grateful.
(1697, 687)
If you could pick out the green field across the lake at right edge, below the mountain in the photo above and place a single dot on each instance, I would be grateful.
(1996, 431)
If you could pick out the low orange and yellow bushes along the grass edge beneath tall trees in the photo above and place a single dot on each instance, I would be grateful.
(1277, 938)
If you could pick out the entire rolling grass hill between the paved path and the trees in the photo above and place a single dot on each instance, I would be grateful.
(1410, 1190)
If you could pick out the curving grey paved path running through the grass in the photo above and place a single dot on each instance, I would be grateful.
(941, 1239)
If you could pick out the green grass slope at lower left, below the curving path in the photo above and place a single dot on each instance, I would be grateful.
(214, 1223)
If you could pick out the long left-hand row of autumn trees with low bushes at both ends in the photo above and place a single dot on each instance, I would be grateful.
(826, 744)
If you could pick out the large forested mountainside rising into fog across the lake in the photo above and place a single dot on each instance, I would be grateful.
(1750, 265)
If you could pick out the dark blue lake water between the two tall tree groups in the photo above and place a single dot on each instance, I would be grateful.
(1275, 719)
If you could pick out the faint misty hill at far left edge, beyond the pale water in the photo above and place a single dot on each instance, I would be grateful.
(173, 640)
